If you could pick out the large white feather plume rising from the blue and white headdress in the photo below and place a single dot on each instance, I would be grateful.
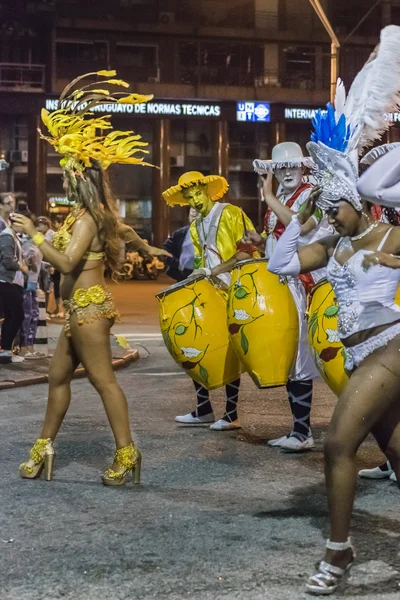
(375, 92)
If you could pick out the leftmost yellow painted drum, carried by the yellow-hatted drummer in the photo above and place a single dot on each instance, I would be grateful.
(194, 329)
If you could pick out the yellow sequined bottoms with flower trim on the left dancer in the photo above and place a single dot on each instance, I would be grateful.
(90, 304)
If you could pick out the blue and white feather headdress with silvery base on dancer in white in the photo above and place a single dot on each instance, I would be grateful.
(354, 123)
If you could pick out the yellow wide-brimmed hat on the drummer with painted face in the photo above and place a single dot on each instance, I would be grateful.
(216, 187)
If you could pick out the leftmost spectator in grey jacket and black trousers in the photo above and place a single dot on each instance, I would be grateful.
(12, 269)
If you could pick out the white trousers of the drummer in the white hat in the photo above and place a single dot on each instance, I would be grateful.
(304, 367)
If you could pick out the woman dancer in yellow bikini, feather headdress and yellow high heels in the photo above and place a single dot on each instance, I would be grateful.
(88, 241)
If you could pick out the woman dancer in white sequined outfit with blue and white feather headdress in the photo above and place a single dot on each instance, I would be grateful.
(369, 319)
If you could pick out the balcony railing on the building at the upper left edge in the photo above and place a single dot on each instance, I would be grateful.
(17, 77)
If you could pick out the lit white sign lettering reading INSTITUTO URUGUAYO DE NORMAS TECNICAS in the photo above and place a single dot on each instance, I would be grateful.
(153, 108)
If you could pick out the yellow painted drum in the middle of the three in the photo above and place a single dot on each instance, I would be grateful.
(263, 323)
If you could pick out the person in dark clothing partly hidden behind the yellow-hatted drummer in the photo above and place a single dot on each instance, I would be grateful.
(180, 245)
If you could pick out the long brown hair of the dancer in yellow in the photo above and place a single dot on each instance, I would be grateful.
(92, 190)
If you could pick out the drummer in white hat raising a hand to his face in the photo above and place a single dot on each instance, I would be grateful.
(289, 165)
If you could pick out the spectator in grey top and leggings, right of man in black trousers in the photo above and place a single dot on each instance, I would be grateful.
(33, 259)
